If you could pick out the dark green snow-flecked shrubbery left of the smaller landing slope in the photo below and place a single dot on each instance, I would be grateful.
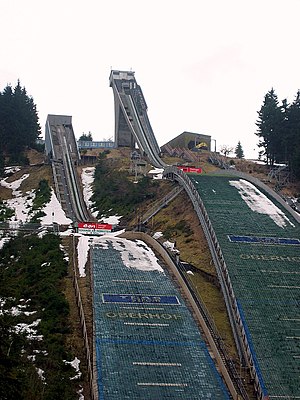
(34, 321)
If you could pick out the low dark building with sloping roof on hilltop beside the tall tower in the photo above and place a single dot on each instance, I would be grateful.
(190, 140)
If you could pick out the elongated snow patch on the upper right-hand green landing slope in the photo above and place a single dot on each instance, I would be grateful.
(260, 203)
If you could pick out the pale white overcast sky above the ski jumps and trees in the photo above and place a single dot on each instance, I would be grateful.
(203, 66)
